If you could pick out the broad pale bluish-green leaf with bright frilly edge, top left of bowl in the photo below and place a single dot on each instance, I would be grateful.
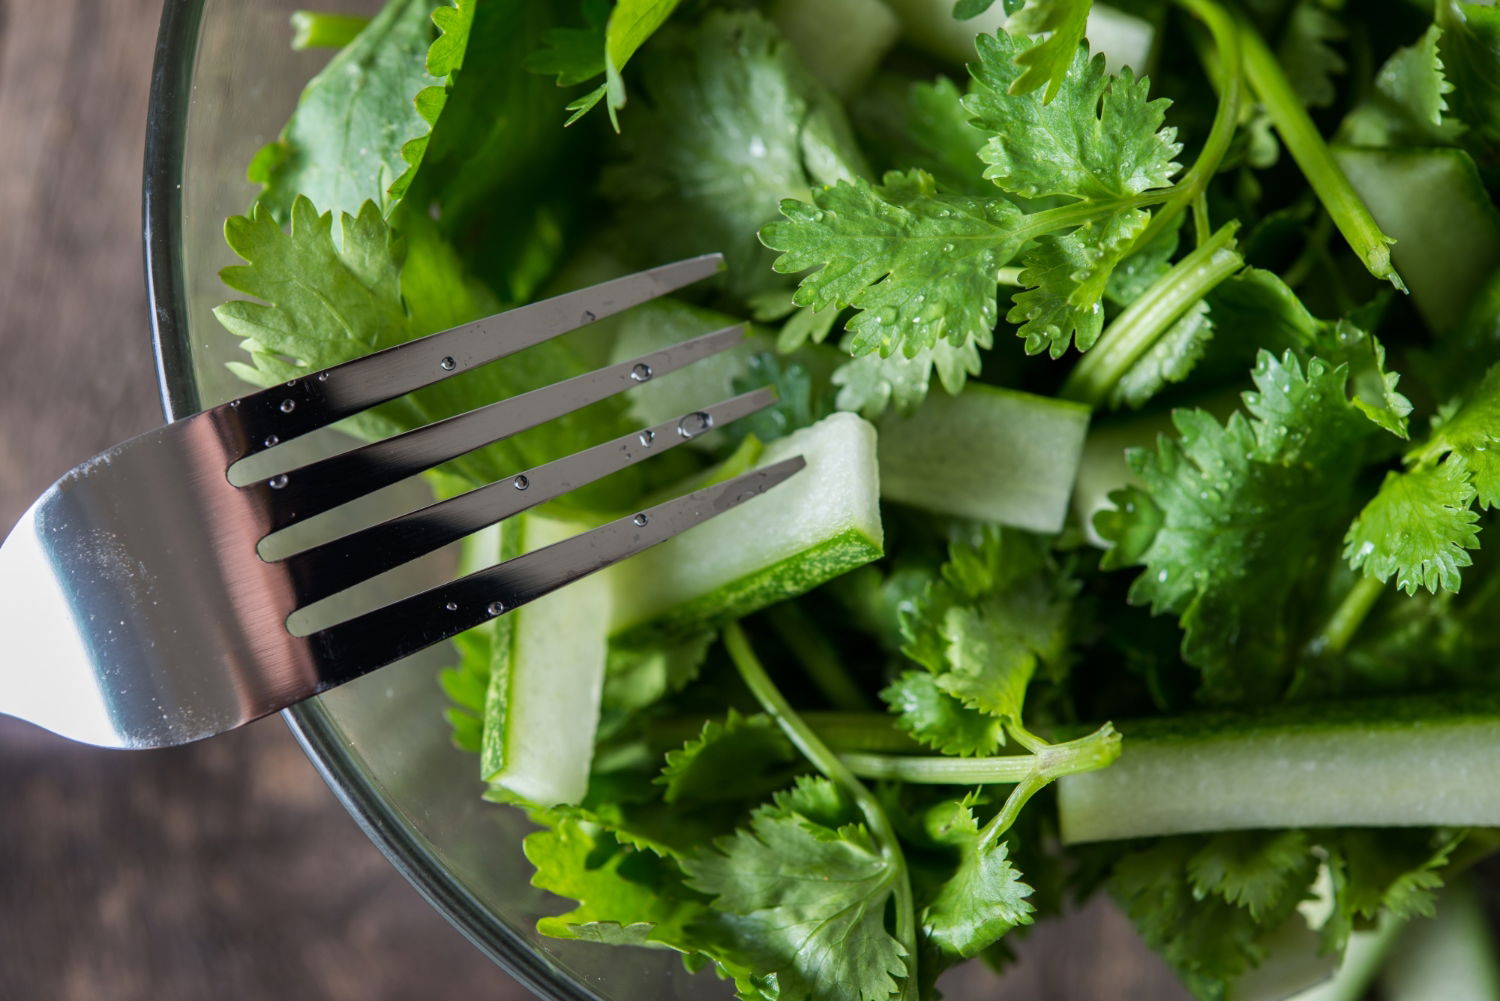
(362, 124)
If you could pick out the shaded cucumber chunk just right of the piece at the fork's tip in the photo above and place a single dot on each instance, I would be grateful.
(989, 454)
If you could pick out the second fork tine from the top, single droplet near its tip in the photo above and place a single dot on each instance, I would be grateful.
(323, 485)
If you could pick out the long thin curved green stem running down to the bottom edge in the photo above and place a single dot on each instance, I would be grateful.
(803, 738)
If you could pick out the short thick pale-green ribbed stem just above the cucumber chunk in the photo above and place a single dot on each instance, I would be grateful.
(1151, 316)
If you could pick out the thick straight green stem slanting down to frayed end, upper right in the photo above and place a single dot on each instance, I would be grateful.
(1313, 155)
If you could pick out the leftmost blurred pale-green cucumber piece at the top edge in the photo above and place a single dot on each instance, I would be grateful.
(841, 41)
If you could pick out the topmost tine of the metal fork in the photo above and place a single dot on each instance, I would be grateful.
(314, 401)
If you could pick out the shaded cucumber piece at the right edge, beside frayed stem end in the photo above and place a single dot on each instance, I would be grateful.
(1448, 241)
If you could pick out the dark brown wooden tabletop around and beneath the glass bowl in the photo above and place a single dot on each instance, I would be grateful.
(227, 868)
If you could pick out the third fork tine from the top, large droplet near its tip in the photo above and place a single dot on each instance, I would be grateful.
(343, 564)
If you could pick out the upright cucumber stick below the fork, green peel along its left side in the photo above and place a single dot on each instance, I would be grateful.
(547, 676)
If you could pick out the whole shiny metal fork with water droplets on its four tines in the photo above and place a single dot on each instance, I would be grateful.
(140, 613)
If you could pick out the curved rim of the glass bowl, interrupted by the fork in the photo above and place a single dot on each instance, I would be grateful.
(313, 727)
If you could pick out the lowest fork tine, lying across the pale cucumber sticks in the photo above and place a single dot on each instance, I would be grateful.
(374, 640)
